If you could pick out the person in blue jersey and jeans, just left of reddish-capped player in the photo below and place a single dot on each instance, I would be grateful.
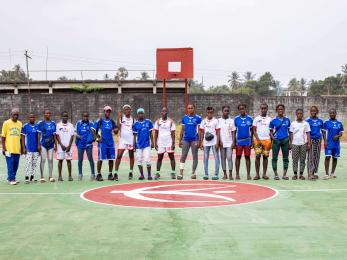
(84, 142)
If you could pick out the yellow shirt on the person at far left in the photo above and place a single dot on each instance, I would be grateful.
(12, 132)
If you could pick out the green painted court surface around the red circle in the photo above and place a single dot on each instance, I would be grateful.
(307, 220)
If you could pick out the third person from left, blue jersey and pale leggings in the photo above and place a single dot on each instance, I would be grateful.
(46, 144)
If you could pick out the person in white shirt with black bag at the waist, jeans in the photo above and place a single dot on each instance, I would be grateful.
(209, 139)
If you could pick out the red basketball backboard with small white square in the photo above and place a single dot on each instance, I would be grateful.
(175, 63)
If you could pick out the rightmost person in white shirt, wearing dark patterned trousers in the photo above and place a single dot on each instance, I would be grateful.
(301, 142)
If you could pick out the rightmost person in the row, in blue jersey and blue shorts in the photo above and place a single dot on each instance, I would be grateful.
(332, 132)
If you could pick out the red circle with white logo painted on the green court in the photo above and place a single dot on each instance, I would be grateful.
(179, 194)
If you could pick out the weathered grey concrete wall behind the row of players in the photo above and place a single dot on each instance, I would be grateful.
(76, 103)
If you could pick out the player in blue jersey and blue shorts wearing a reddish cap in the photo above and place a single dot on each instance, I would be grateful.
(106, 149)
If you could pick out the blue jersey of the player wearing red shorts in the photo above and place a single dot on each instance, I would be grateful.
(243, 125)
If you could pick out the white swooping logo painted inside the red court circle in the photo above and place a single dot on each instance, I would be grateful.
(216, 197)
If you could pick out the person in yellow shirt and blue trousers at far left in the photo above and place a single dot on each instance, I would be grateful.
(11, 144)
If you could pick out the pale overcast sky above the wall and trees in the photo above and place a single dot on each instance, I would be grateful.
(289, 38)
